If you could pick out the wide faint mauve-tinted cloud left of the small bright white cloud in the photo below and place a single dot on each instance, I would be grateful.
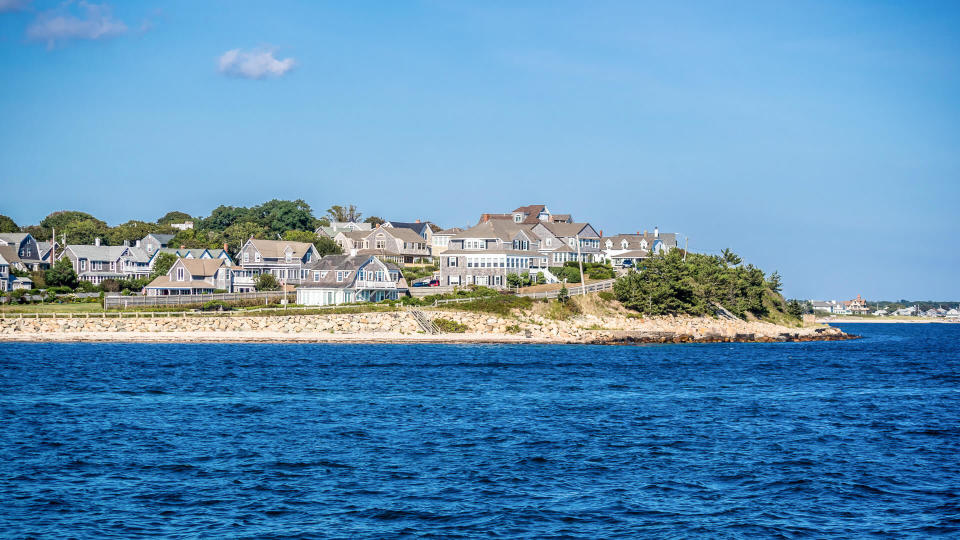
(95, 22)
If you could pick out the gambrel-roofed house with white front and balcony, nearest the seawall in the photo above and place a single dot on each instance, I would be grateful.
(345, 279)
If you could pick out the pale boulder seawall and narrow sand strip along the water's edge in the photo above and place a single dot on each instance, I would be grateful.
(400, 326)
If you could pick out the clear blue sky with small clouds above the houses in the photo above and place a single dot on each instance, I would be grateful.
(819, 139)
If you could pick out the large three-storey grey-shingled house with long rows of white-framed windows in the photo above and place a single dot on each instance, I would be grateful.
(486, 253)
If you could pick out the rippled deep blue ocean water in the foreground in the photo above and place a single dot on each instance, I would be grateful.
(839, 439)
